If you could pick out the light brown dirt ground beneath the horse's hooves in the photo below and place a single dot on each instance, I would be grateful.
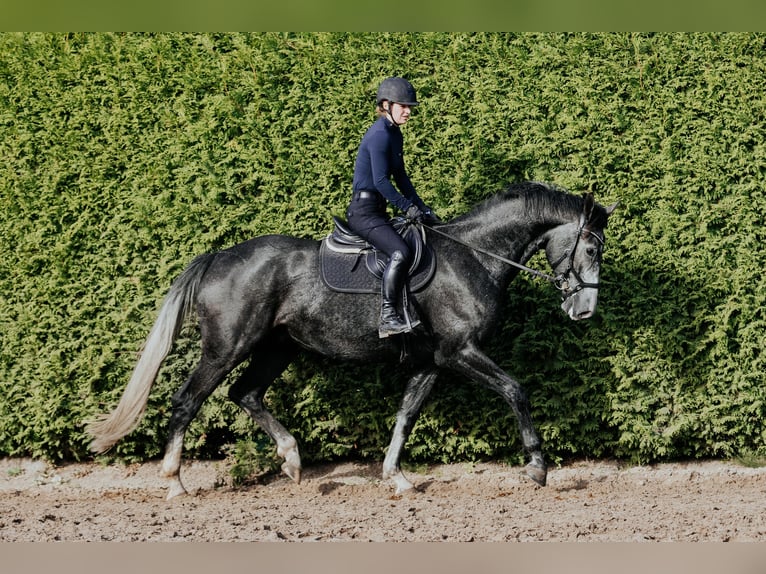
(586, 501)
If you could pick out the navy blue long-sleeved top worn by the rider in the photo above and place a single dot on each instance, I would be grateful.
(380, 158)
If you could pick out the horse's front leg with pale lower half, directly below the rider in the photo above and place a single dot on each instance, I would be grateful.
(415, 393)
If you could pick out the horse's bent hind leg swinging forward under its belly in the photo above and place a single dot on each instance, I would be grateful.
(266, 364)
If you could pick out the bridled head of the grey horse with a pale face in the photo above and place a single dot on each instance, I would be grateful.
(574, 253)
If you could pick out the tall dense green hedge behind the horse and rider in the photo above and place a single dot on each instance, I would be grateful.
(125, 155)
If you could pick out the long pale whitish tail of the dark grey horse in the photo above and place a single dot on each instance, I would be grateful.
(179, 302)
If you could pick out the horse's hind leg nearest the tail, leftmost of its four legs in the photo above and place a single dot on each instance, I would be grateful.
(186, 402)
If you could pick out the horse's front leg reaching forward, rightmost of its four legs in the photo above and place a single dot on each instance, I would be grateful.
(481, 369)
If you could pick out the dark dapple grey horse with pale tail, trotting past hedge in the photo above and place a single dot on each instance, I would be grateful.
(263, 300)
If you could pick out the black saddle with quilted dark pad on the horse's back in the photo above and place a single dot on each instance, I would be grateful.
(349, 264)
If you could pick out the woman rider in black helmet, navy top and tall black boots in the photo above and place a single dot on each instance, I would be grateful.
(380, 158)
